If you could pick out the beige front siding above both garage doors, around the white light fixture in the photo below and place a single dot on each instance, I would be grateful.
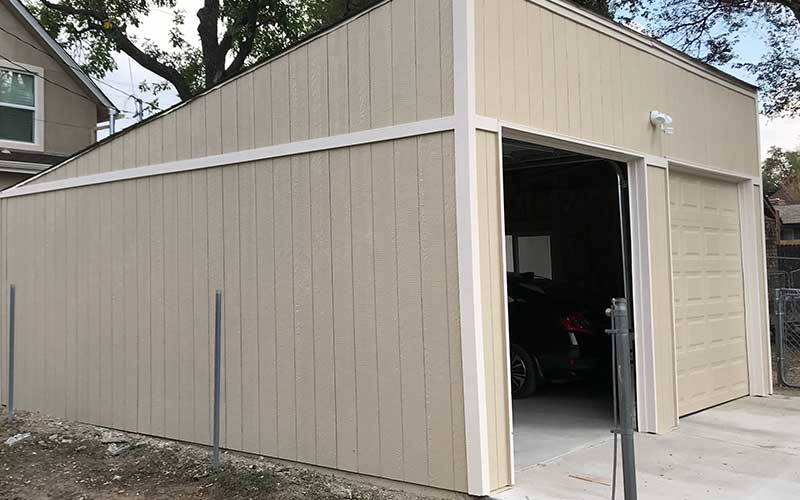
(539, 66)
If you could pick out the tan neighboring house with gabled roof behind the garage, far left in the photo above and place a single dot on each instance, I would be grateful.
(49, 108)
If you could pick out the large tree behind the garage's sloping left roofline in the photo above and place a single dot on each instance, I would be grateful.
(232, 34)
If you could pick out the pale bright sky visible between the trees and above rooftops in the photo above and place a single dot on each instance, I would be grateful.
(781, 132)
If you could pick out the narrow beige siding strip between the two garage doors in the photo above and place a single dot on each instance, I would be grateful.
(661, 265)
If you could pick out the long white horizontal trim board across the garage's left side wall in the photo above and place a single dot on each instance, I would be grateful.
(277, 151)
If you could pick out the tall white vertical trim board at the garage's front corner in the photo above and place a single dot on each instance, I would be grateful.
(475, 418)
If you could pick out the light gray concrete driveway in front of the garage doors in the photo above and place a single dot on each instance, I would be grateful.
(746, 449)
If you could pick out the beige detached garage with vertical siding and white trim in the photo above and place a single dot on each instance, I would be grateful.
(352, 198)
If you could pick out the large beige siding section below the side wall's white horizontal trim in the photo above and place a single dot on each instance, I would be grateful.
(339, 272)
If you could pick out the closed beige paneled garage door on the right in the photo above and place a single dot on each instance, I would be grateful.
(709, 295)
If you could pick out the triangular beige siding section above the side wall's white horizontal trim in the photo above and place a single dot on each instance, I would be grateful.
(389, 66)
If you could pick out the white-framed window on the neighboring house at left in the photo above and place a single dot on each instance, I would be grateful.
(20, 108)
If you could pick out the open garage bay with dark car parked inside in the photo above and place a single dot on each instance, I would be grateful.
(564, 265)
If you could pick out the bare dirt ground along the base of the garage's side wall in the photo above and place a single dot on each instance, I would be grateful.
(70, 461)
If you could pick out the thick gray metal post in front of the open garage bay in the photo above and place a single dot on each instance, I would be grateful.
(627, 412)
